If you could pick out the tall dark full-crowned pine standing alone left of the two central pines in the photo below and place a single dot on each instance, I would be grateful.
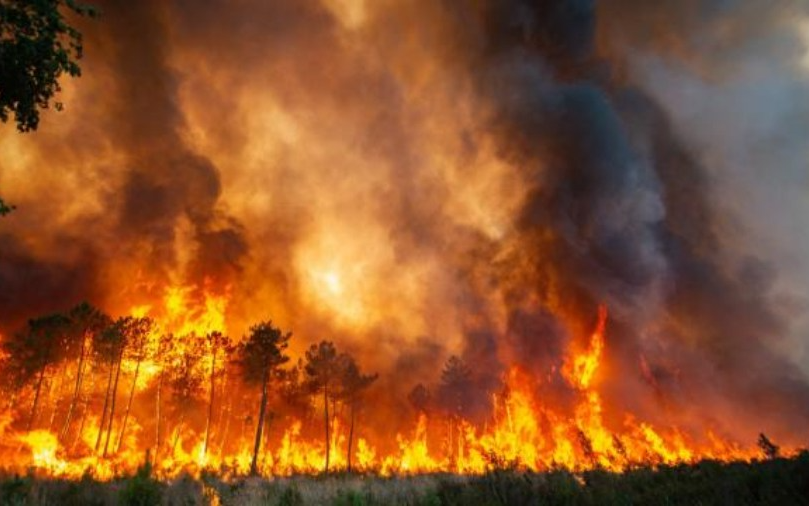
(260, 356)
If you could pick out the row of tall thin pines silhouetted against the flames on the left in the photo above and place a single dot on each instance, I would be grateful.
(73, 365)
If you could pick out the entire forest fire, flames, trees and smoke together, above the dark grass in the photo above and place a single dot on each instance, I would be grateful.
(406, 237)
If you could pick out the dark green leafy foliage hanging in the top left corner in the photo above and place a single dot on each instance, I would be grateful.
(37, 46)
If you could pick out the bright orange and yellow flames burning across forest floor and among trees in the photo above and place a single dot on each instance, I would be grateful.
(526, 428)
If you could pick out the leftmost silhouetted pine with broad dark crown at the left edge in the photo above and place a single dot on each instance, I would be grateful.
(33, 351)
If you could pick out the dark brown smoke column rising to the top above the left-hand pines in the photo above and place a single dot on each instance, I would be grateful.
(167, 181)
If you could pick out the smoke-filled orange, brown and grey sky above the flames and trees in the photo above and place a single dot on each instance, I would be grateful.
(416, 178)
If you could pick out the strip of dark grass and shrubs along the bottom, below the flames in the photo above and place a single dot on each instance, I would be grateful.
(777, 482)
